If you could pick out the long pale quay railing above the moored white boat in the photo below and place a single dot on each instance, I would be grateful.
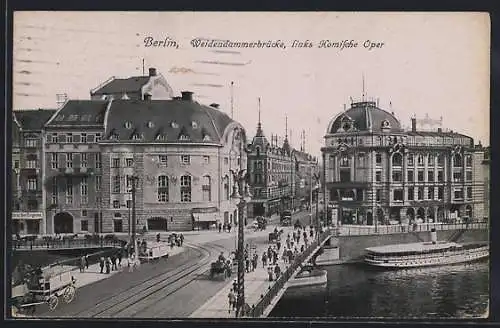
(359, 230)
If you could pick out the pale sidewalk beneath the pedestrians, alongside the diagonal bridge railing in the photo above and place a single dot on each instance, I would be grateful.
(256, 284)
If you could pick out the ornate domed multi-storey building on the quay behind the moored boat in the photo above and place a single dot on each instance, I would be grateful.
(377, 173)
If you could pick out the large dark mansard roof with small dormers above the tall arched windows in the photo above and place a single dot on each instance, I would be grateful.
(175, 120)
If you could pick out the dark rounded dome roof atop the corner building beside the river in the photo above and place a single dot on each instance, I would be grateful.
(364, 116)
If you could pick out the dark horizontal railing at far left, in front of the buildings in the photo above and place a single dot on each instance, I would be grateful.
(65, 243)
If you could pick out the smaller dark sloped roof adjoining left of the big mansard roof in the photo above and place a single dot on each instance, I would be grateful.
(80, 113)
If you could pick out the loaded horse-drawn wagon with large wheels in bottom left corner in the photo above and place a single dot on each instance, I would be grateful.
(41, 287)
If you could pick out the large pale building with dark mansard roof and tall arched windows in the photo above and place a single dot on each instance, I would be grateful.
(181, 151)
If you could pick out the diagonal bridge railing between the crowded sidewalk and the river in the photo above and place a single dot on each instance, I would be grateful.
(258, 309)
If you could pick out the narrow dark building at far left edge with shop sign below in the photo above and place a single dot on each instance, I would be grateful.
(28, 212)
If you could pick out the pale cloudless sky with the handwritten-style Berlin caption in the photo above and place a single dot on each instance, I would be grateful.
(434, 64)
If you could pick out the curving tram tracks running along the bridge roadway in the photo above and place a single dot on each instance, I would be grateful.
(139, 296)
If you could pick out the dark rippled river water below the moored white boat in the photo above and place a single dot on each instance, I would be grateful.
(359, 291)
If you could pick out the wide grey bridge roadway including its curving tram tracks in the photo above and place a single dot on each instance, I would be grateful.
(166, 288)
